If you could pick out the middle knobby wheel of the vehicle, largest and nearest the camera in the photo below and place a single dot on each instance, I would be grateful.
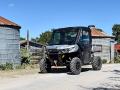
(75, 66)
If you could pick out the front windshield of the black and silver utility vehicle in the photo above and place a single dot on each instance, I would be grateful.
(63, 37)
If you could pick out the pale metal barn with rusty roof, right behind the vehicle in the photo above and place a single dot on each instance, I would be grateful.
(103, 44)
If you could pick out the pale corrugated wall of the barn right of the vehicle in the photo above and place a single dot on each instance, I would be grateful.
(106, 45)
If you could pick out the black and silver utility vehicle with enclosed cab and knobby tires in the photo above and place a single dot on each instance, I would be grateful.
(70, 47)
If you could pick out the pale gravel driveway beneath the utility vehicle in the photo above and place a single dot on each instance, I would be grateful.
(106, 79)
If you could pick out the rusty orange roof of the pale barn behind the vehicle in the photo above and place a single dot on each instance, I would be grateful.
(97, 33)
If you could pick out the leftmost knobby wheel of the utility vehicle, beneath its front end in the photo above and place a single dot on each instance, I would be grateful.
(45, 66)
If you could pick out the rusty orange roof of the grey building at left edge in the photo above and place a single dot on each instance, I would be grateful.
(6, 22)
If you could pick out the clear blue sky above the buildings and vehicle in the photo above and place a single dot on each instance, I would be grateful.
(38, 16)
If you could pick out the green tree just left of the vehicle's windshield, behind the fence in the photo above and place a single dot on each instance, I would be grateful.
(44, 37)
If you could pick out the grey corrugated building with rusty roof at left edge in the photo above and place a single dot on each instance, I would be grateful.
(9, 42)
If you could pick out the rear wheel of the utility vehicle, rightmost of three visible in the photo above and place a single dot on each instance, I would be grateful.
(97, 63)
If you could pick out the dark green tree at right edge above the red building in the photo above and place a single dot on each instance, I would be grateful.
(116, 32)
